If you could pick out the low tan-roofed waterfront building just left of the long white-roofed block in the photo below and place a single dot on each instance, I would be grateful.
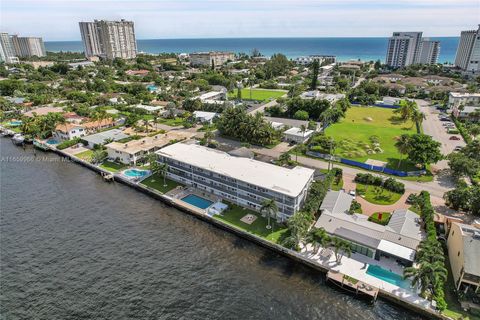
(136, 150)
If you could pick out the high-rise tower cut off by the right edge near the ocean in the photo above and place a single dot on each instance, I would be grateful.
(468, 51)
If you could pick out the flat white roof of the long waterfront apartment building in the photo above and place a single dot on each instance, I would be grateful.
(286, 181)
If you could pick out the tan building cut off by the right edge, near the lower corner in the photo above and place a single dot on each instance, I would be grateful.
(464, 253)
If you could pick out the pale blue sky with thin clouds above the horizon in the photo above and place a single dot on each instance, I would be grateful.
(165, 19)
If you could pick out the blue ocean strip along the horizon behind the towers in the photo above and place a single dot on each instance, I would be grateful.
(343, 48)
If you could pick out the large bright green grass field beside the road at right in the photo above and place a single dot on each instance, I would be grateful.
(353, 135)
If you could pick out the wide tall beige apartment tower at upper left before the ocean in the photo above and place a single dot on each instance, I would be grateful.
(109, 39)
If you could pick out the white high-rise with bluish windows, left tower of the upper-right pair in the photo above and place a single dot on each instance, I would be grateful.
(403, 48)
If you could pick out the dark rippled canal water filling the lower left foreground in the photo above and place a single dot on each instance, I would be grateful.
(75, 247)
